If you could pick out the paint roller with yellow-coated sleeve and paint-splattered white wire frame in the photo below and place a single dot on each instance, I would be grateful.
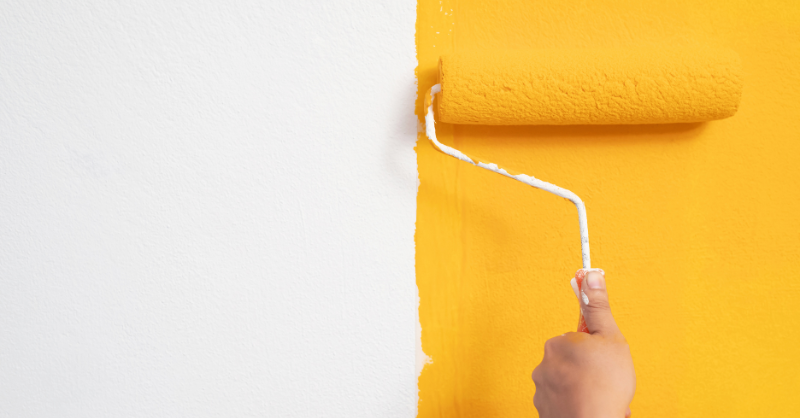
(582, 87)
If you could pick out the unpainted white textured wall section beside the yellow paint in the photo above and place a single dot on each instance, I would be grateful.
(207, 209)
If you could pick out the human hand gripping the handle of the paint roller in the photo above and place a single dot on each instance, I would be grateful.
(587, 375)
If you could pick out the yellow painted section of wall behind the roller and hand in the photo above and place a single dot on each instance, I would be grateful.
(697, 226)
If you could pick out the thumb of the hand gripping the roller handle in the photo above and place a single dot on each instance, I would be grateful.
(594, 303)
